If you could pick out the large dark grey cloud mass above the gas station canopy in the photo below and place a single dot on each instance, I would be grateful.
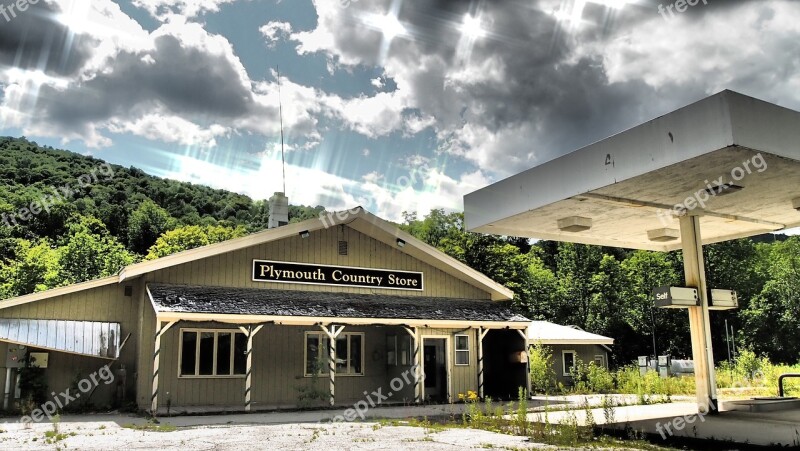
(554, 92)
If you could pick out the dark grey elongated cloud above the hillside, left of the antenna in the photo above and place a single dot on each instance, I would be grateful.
(188, 82)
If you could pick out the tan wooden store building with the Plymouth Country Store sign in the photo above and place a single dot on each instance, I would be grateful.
(314, 312)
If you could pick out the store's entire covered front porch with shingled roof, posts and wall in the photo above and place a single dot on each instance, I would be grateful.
(246, 349)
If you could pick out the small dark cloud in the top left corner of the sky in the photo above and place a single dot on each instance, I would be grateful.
(35, 39)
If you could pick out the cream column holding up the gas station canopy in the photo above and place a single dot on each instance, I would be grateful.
(699, 324)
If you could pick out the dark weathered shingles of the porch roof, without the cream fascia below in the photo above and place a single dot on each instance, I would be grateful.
(268, 302)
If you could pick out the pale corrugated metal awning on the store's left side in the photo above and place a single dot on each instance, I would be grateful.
(90, 338)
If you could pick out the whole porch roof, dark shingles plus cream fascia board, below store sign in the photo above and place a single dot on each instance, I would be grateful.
(292, 307)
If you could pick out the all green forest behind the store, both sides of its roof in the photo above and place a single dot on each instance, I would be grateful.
(68, 218)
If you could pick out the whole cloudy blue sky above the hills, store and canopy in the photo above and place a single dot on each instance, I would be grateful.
(394, 105)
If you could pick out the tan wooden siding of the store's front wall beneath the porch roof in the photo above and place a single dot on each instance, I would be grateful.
(278, 370)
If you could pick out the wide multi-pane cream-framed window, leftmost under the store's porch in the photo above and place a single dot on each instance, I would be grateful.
(212, 353)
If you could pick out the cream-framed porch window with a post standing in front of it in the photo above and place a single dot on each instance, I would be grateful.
(349, 353)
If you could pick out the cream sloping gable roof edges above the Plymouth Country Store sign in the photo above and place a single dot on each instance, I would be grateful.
(356, 218)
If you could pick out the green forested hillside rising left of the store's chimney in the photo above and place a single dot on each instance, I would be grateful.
(66, 218)
